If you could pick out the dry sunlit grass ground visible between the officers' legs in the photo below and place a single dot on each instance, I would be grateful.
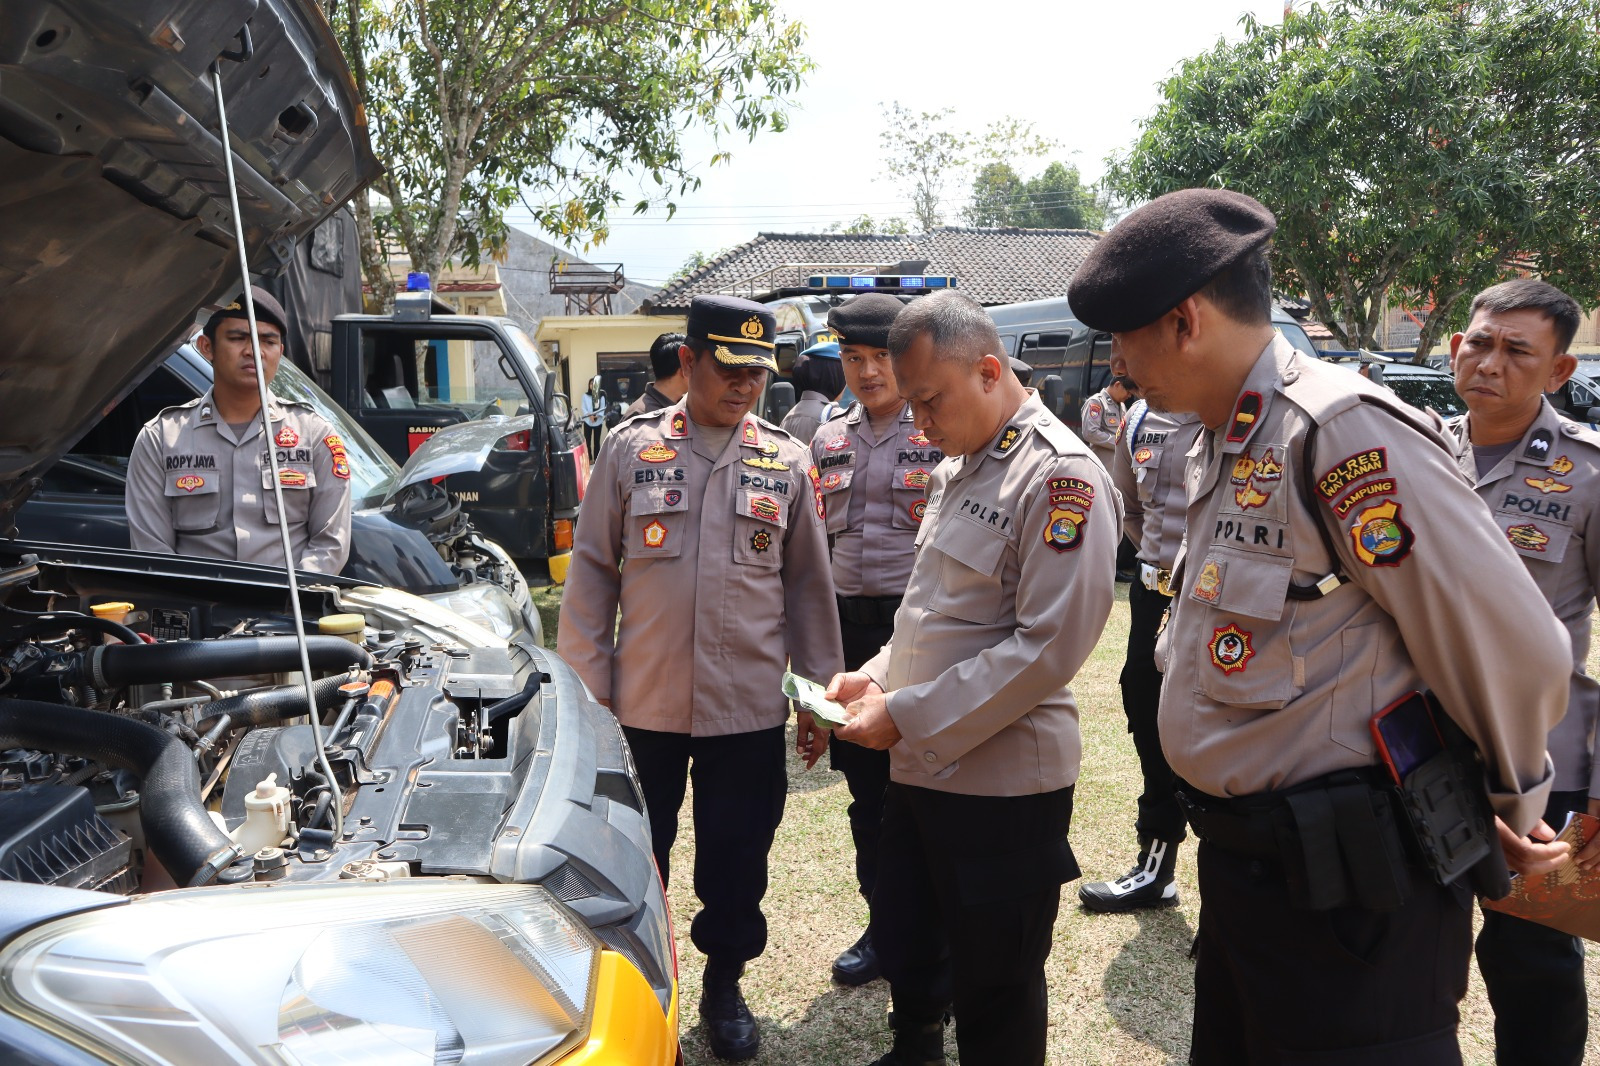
(1121, 987)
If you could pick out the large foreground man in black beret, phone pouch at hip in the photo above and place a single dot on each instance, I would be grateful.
(1337, 561)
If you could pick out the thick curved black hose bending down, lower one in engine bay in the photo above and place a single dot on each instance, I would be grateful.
(177, 825)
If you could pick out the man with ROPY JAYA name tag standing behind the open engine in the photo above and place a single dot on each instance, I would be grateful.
(199, 478)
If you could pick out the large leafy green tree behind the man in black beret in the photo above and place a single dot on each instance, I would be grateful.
(1412, 150)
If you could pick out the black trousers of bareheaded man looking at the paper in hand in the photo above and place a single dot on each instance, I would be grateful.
(964, 912)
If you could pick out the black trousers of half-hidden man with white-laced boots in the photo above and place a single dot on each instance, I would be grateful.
(1161, 817)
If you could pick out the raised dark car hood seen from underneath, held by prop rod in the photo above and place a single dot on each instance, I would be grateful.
(114, 215)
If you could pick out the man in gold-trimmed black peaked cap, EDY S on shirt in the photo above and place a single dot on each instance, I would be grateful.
(705, 526)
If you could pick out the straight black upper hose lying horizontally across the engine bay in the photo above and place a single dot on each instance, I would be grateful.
(113, 667)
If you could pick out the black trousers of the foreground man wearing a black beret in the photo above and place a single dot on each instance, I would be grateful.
(1276, 987)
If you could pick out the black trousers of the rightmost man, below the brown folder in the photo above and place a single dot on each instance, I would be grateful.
(1535, 979)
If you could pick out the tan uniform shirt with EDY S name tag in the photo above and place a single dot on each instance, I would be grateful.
(719, 564)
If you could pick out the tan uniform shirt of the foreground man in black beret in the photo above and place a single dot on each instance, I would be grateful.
(1265, 691)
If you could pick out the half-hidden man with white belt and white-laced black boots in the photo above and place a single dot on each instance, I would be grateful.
(1148, 468)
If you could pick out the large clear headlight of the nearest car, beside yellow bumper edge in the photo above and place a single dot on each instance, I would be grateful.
(426, 972)
